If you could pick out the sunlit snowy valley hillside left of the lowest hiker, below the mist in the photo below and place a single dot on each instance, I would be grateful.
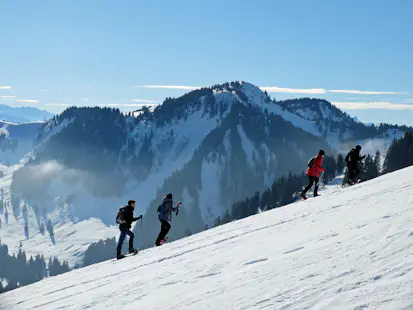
(71, 236)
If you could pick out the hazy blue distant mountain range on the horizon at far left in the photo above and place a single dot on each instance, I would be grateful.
(23, 114)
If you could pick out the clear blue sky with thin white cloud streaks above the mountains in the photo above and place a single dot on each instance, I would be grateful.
(357, 54)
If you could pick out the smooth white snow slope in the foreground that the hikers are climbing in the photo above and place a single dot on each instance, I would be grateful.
(348, 249)
